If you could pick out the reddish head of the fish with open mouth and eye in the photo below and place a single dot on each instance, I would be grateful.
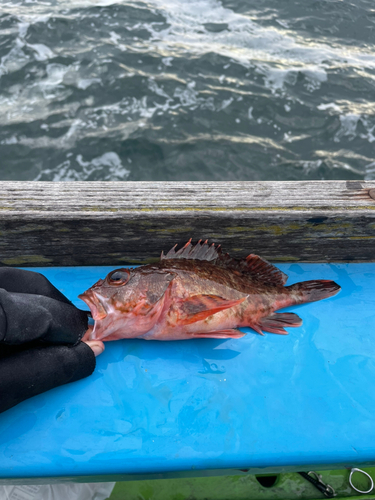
(124, 304)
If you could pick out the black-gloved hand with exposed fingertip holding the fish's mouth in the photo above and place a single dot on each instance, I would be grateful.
(40, 333)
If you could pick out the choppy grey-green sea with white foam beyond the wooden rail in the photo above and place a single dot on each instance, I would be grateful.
(195, 90)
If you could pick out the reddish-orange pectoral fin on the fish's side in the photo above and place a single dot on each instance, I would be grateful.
(199, 307)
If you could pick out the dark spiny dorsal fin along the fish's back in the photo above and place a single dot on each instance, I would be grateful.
(254, 266)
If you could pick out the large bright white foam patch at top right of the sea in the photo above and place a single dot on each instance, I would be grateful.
(278, 54)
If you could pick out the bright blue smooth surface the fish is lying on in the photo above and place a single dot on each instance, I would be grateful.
(271, 403)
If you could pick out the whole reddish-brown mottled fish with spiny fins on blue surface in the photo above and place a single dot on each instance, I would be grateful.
(197, 292)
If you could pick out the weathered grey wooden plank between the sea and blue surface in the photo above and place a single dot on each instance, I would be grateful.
(101, 223)
